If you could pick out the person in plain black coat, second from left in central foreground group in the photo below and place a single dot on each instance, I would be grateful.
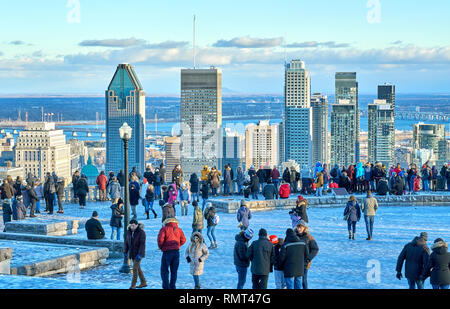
(260, 253)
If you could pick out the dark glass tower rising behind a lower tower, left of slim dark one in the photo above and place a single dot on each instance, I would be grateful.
(346, 88)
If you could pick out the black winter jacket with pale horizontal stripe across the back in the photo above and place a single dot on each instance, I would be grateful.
(293, 255)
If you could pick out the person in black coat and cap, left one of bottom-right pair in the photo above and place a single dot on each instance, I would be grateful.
(416, 255)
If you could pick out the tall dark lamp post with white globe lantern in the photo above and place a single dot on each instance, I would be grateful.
(125, 134)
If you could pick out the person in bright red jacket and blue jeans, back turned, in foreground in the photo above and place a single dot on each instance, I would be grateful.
(170, 239)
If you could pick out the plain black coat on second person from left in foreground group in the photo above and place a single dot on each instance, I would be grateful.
(260, 253)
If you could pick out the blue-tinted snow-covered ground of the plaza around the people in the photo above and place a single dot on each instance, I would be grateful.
(341, 263)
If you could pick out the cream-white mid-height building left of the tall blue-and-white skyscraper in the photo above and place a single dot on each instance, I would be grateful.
(261, 144)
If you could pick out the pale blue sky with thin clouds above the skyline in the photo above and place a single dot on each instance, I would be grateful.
(74, 46)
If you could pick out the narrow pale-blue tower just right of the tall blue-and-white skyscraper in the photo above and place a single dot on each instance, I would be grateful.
(319, 106)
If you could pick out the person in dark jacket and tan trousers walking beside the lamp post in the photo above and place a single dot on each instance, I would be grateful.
(135, 250)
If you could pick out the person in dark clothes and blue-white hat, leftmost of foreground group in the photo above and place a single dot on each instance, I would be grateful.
(241, 261)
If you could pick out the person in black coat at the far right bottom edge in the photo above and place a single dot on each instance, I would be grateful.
(438, 266)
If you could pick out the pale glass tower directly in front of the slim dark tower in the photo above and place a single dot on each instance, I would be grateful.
(381, 132)
